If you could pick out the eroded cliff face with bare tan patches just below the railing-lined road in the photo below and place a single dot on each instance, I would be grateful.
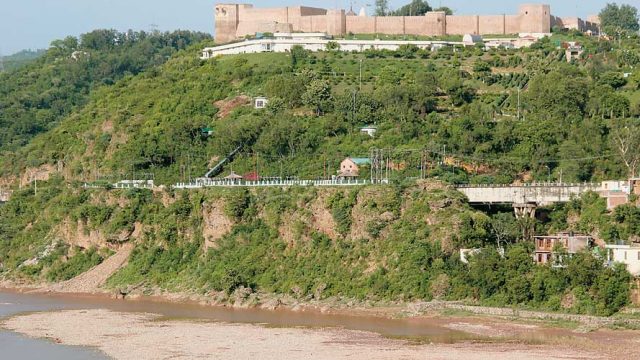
(77, 221)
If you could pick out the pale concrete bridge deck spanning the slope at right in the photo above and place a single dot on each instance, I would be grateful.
(536, 193)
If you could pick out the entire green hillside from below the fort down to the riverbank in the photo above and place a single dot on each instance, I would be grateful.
(136, 105)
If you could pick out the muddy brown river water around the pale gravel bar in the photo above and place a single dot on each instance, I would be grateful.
(15, 346)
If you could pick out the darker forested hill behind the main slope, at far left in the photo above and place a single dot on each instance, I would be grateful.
(37, 96)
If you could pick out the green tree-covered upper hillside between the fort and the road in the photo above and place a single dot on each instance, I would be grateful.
(461, 104)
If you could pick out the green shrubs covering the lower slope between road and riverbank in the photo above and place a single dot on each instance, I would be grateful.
(403, 259)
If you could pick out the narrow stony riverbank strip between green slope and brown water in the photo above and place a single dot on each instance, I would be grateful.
(245, 299)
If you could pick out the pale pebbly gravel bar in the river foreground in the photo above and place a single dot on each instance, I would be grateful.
(147, 336)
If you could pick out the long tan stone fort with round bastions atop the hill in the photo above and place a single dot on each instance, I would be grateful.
(236, 21)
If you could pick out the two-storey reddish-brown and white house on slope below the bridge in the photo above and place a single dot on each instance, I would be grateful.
(546, 246)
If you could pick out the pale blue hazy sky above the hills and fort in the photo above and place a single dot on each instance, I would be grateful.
(34, 24)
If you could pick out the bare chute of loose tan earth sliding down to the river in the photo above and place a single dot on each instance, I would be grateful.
(92, 280)
